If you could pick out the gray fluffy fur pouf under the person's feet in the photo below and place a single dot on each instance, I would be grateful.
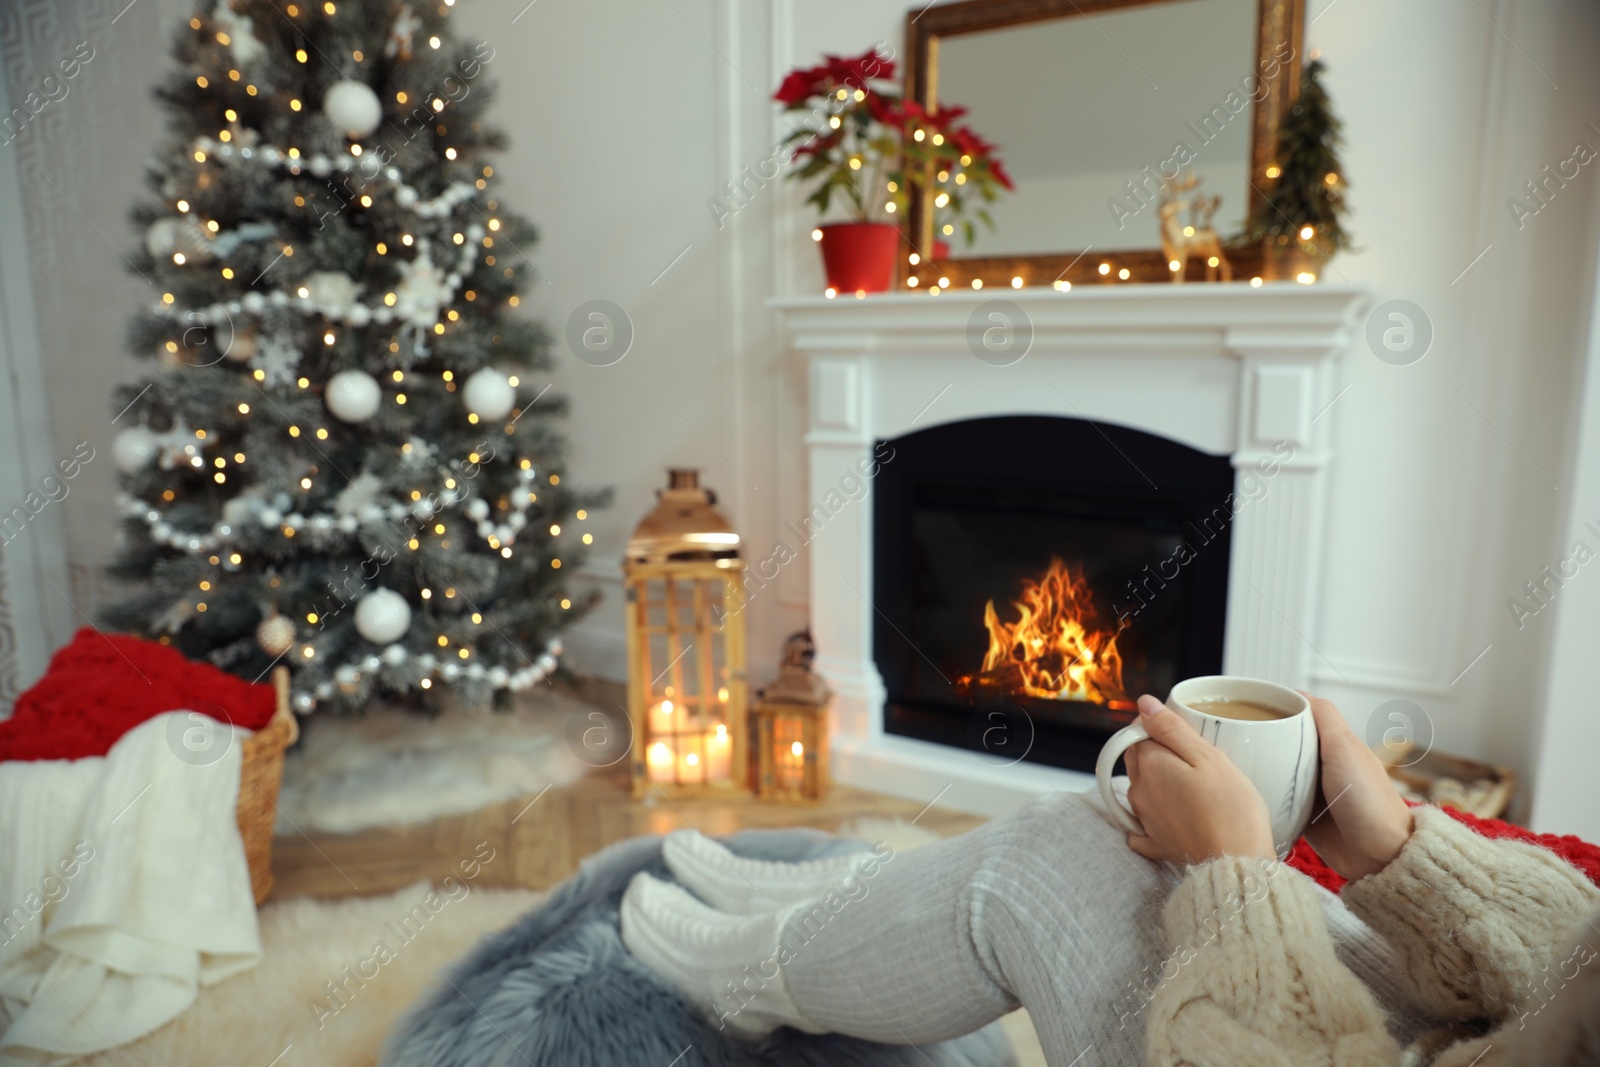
(559, 989)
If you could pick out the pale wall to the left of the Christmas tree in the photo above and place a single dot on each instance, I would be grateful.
(78, 167)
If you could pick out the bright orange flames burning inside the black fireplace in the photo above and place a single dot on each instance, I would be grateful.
(1054, 650)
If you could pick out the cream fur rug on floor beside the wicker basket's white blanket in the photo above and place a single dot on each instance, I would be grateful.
(282, 1009)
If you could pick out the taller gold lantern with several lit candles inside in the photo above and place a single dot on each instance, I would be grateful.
(686, 645)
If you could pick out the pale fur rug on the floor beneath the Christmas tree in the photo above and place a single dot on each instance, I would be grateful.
(393, 767)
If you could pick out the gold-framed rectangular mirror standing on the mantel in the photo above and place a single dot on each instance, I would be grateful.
(1092, 105)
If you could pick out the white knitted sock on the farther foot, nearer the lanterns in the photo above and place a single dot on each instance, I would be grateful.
(751, 887)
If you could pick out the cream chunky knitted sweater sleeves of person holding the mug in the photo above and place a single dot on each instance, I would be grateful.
(1500, 940)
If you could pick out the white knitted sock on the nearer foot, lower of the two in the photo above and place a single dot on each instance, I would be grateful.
(726, 965)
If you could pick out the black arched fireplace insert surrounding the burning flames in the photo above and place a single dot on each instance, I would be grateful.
(969, 511)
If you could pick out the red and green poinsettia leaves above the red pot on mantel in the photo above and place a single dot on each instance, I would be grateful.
(870, 146)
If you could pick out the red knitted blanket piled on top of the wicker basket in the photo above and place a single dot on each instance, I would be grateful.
(103, 685)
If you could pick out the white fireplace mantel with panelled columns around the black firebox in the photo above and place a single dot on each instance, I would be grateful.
(1225, 369)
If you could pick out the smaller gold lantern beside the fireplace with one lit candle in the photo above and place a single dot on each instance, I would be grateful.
(791, 729)
